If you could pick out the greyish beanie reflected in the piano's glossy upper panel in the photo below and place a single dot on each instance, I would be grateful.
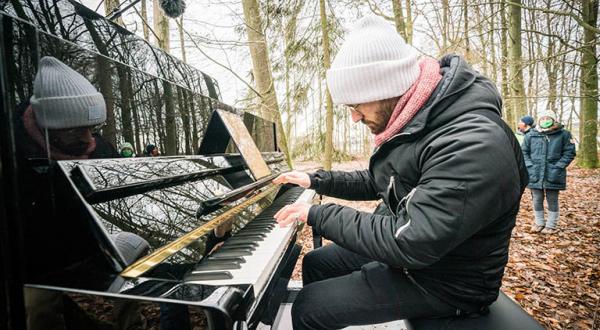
(62, 98)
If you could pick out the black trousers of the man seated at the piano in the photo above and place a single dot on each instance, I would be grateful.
(342, 288)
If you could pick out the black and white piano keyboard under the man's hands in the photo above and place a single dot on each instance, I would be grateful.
(251, 256)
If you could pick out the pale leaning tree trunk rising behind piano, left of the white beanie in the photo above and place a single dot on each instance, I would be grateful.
(261, 67)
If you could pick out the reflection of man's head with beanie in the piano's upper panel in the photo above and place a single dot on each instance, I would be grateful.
(66, 109)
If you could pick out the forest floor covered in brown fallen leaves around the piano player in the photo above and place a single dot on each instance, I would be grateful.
(555, 278)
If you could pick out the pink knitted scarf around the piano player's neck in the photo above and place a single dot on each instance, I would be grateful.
(413, 100)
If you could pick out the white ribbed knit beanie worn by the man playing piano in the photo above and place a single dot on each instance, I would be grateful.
(373, 64)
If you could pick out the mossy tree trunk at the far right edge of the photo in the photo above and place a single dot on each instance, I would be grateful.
(588, 156)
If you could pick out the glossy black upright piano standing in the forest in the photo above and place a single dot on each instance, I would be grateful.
(215, 257)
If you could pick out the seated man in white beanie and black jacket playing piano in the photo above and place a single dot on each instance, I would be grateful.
(450, 174)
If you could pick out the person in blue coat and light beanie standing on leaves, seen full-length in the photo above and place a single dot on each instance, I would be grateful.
(547, 150)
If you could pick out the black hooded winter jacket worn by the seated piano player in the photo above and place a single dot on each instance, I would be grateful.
(452, 180)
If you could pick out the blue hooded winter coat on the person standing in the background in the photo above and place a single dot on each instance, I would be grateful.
(547, 155)
